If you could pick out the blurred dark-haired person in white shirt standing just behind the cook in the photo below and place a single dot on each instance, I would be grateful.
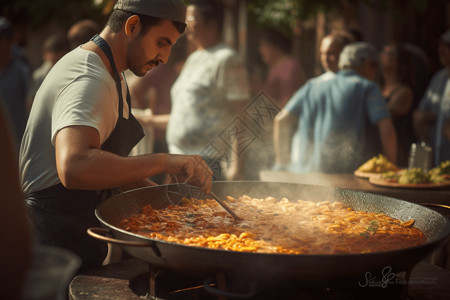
(210, 91)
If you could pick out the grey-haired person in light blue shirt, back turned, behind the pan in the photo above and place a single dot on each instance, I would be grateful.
(324, 126)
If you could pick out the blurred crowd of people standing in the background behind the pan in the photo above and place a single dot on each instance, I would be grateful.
(366, 101)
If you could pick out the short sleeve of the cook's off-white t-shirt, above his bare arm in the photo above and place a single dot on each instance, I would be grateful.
(83, 102)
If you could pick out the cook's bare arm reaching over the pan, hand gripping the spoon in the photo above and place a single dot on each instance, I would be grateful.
(82, 165)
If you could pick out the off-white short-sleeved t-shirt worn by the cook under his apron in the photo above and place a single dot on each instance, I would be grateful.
(77, 91)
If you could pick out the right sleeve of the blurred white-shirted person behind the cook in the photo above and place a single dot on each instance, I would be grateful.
(232, 79)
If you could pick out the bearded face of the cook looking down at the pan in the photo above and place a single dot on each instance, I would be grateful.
(148, 50)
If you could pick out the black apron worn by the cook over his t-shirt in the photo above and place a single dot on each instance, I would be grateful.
(60, 216)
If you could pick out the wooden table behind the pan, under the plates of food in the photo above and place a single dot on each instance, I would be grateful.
(350, 181)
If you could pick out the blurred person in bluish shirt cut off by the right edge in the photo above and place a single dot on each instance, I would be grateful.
(432, 118)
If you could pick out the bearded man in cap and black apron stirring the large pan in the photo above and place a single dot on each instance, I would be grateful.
(80, 131)
